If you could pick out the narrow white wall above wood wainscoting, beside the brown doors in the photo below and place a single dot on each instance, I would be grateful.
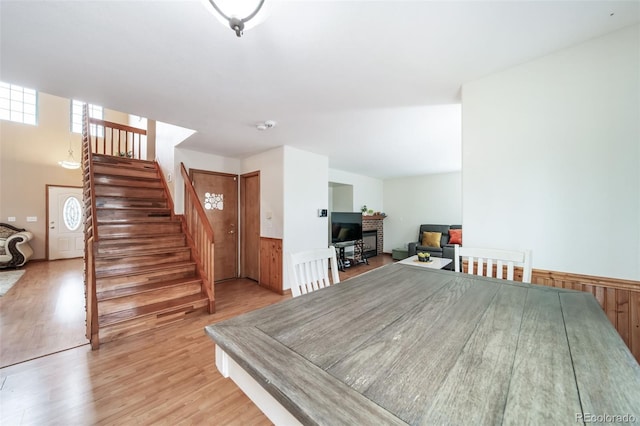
(271, 167)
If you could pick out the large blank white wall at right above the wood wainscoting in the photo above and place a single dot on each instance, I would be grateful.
(551, 158)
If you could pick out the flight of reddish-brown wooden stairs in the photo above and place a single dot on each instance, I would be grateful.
(144, 269)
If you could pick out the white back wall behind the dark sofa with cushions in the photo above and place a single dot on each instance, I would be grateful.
(413, 201)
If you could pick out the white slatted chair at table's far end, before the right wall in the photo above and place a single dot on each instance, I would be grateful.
(481, 262)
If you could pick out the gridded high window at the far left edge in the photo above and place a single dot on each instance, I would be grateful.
(18, 103)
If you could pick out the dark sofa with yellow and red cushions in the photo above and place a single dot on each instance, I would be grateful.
(437, 245)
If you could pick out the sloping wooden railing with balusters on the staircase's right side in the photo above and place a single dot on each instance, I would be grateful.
(200, 235)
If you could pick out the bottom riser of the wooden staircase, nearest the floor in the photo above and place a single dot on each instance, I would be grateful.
(139, 325)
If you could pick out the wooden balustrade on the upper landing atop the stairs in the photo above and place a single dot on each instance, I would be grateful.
(114, 142)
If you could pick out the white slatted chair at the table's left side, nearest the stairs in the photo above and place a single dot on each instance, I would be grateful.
(309, 270)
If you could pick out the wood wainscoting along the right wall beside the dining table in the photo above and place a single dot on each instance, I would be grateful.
(620, 300)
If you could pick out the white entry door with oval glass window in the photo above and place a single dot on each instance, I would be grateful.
(66, 233)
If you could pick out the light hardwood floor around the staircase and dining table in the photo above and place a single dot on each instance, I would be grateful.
(166, 376)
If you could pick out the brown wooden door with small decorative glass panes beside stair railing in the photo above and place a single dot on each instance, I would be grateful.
(218, 193)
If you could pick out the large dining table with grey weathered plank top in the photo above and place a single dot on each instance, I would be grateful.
(408, 345)
